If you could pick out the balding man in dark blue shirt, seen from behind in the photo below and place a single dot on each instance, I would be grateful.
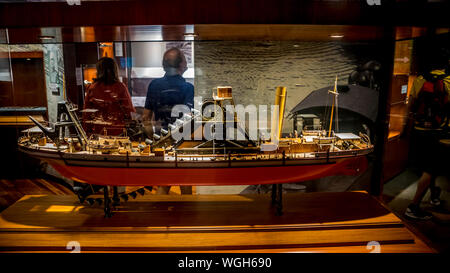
(163, 94)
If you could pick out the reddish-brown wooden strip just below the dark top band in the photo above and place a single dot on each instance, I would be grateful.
(205, 32)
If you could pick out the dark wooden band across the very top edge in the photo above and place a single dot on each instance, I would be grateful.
(155, 12)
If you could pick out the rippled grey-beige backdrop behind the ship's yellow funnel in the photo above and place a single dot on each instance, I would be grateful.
(254, 69)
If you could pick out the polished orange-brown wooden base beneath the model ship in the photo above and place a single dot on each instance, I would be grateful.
(322, 222)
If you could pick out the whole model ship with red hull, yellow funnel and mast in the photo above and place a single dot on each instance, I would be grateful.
(161, 160)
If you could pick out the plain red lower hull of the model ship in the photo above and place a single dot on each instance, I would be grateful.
(209, 175)
